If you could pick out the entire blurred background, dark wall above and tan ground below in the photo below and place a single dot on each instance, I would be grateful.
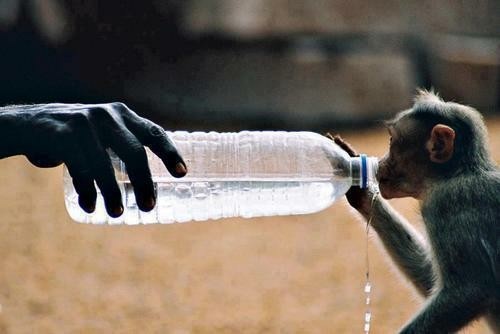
(225, 65)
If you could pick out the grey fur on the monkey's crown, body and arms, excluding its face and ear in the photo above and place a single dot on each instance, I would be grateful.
(458, 271)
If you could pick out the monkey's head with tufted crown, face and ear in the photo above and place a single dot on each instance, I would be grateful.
(431, 142)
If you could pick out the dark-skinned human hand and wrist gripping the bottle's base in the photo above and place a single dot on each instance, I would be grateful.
(78, 136)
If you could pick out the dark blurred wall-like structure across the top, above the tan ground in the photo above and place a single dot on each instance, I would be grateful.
(251, 64)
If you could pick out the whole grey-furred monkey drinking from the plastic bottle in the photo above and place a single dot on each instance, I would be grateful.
(438, 154)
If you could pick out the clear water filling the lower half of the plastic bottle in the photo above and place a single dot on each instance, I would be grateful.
(198, 200)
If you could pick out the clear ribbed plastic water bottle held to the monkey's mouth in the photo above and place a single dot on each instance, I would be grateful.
(245, 174)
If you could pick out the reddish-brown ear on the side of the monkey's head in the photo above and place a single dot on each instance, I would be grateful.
(441, 143)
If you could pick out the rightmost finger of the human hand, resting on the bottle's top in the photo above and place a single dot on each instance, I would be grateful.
(154, 136)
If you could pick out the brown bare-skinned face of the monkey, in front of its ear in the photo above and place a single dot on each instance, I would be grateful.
(402, 171)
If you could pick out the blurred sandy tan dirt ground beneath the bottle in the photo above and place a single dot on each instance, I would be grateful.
(301, 274)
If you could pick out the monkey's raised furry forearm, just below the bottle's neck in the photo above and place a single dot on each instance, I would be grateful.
(404, 244)
